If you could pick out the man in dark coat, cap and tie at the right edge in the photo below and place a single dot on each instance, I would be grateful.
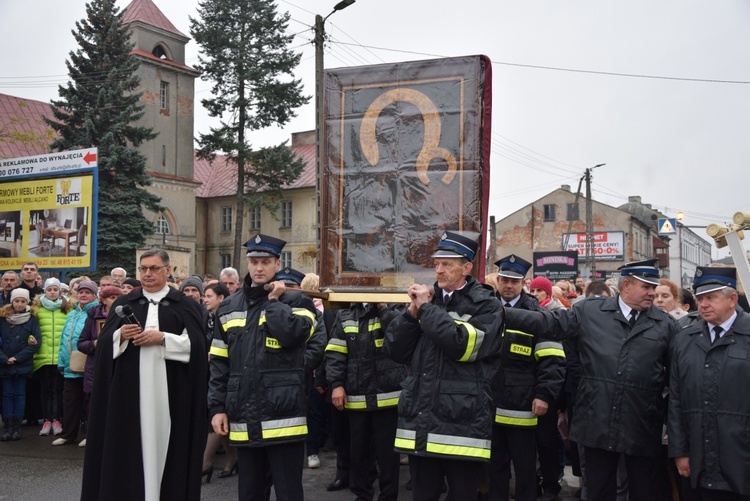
(709, 410)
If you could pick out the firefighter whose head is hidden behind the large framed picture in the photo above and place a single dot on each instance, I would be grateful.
(367, 384)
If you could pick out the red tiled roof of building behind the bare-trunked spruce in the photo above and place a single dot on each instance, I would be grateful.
(219, 179)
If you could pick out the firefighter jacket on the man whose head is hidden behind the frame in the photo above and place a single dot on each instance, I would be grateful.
(355, 359)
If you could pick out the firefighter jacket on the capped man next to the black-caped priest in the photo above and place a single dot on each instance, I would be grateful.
(257, 365)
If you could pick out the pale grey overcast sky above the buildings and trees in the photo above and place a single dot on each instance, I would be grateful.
(659, 91)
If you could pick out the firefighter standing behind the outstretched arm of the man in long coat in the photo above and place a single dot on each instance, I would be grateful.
(526, 385)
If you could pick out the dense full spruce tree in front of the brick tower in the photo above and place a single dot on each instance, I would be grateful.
(99, 107)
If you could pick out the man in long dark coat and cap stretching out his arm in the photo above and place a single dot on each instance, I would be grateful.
(620, 408)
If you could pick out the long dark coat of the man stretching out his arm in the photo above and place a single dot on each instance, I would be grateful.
(620, 405)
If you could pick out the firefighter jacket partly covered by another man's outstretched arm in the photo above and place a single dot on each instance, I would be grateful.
(530, 367)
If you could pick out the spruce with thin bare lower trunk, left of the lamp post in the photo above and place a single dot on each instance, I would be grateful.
(245, 54)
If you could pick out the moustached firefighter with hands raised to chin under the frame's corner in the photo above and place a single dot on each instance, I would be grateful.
(449, 334)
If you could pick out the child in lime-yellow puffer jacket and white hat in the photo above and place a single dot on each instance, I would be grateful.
(50, 309)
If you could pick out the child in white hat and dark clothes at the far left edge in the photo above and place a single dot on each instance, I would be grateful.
(21, 337)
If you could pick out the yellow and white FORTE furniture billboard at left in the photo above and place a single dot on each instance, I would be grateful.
(48, 207)
